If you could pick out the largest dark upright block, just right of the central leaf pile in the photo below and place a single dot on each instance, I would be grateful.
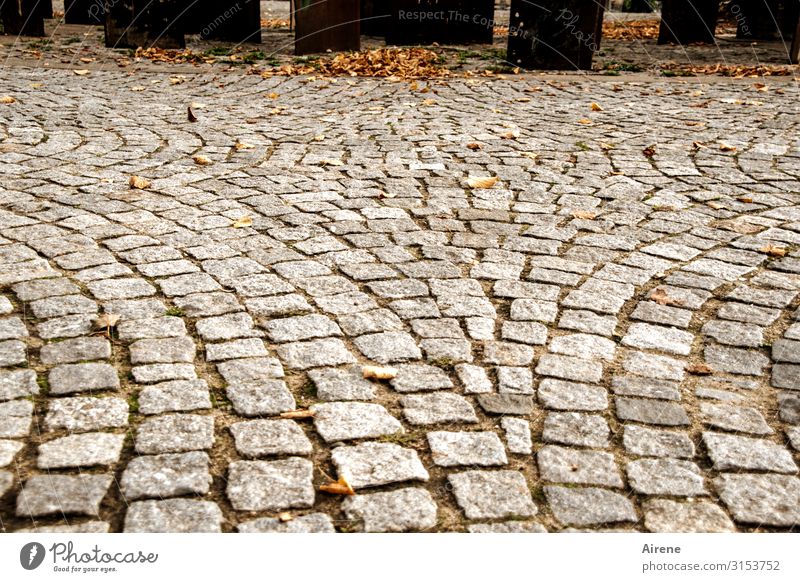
(554, 34)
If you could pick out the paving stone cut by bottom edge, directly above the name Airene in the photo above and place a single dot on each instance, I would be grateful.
(667, 516)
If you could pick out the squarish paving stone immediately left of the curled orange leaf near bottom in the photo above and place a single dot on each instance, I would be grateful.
(270, 485)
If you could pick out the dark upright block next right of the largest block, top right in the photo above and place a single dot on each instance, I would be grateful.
(687, 21)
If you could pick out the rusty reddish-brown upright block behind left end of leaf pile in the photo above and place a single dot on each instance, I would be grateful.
(323, 25)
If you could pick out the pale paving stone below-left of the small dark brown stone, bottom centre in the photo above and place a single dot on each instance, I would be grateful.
(452, 449)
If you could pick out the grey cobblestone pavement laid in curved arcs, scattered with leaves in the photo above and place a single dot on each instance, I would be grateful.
(608, 337)
